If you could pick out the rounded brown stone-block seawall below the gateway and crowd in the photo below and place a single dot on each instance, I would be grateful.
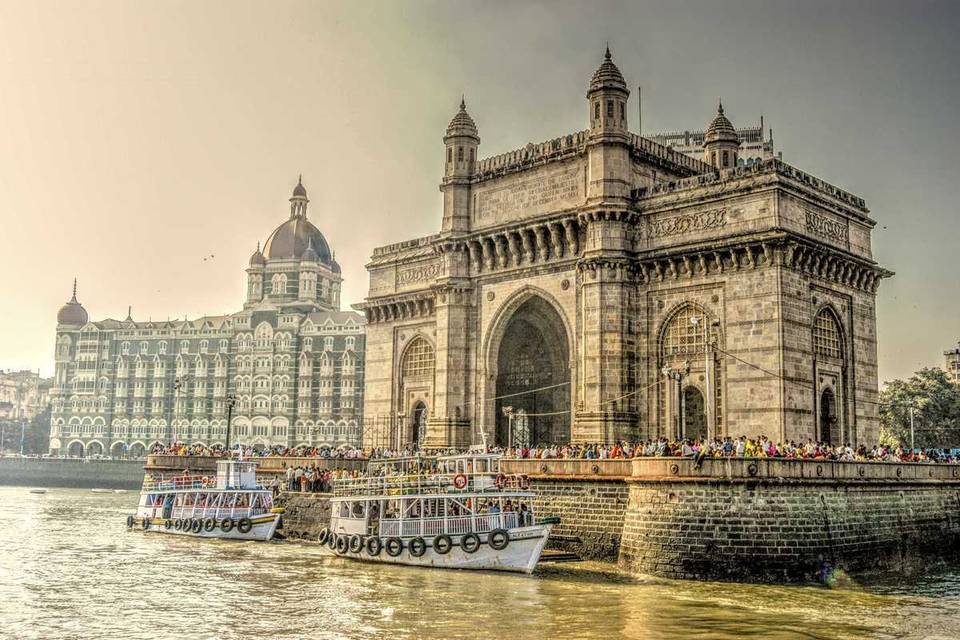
(761, 520)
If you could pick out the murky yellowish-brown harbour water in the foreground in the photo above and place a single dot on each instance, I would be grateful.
(70, 569)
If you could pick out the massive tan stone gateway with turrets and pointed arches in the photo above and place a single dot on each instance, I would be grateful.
(601, 286)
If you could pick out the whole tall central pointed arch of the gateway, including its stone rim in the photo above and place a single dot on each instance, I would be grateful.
(530, 346)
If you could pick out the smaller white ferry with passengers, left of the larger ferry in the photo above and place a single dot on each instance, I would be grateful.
(229, 505)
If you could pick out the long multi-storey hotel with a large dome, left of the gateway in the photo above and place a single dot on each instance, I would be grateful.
(292, 361)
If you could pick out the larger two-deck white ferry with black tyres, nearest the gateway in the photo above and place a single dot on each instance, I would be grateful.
(463, 514)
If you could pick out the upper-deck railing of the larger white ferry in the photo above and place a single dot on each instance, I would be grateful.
(419, 484)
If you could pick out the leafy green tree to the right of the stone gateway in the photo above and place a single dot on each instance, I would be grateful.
(936, 409)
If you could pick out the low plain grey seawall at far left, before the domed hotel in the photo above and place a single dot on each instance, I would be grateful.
(80, 473)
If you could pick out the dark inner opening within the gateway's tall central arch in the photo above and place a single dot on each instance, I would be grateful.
(534, 353)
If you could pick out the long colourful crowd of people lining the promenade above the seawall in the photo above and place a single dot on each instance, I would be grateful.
(761, 447)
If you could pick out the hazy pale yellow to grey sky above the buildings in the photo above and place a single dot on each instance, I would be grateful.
(138, 137)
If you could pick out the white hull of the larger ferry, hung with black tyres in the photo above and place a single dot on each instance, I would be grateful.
(520, 555)
